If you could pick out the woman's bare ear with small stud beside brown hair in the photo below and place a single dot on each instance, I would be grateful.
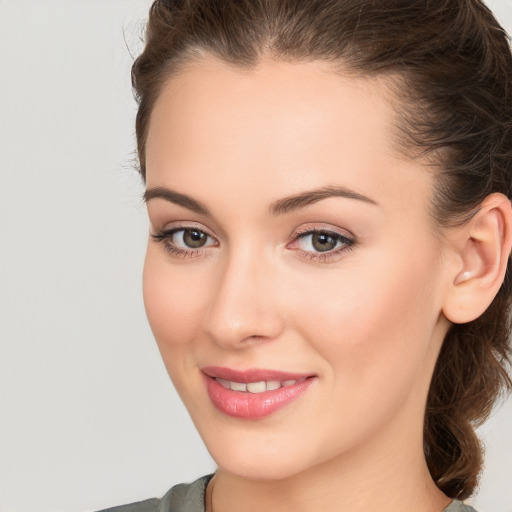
(482, 246)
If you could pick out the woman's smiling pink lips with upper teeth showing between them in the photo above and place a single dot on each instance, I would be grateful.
(254, 393)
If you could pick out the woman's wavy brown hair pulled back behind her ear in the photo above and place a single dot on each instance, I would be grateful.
(452, 69)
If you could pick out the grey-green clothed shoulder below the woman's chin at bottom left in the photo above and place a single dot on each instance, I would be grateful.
(180, 498)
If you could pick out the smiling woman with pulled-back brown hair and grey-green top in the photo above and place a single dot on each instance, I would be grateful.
(327, 276)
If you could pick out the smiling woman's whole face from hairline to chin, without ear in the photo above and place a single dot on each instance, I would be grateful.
(292, 260)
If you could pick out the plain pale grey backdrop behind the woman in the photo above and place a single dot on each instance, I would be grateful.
(89, 417)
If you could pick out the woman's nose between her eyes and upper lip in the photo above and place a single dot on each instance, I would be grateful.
(243, 307)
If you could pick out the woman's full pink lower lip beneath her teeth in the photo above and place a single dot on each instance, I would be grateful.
(253, 405)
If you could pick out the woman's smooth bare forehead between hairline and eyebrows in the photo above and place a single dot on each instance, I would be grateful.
(280, 127)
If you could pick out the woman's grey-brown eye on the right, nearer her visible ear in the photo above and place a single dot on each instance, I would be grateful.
(321, 244)
